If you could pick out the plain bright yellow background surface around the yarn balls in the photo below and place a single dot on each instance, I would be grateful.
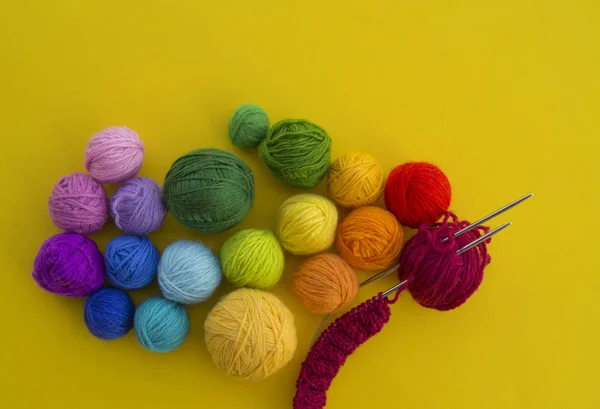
(503, 95)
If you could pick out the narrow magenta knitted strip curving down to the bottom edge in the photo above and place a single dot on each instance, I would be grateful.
(334, 346)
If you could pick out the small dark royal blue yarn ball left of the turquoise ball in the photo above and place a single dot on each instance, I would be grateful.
(108, 313)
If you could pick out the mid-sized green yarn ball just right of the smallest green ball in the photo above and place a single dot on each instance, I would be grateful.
(297, 152)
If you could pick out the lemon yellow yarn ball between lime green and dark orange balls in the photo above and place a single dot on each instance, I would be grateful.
(306, 224)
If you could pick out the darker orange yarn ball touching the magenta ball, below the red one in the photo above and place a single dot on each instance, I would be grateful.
(370, 239)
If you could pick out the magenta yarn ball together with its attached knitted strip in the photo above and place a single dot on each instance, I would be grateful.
(436, 277)
